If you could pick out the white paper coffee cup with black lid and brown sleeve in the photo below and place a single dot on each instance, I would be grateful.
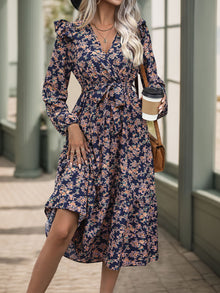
(150, 102)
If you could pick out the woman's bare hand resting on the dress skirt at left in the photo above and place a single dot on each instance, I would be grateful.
(77, 144)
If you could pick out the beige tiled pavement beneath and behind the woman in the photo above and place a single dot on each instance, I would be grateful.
(22, 236)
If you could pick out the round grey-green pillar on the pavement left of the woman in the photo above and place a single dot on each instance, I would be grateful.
(29, 86)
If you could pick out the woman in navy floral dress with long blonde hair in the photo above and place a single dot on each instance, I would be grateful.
(104, 206)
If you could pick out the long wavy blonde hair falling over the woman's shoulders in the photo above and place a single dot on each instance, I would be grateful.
(125, 21)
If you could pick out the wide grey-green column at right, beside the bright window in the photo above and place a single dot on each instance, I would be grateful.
(197, 107)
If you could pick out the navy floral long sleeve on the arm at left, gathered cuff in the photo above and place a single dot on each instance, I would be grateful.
(56, 83)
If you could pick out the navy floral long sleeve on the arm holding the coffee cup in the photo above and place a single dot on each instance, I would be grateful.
(150, 64)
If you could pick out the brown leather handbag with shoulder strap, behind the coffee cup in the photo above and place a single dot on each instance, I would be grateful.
(158, 149)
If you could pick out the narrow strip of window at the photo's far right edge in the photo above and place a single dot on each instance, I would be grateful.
(217, 147)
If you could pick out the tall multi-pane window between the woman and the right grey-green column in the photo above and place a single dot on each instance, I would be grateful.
(167, 55)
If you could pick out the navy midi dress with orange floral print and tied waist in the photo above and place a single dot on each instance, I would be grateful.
(114, 193)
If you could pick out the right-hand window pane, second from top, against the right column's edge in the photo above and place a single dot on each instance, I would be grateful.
(173, 70)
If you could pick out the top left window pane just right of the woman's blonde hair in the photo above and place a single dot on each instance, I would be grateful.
(157, 13)
